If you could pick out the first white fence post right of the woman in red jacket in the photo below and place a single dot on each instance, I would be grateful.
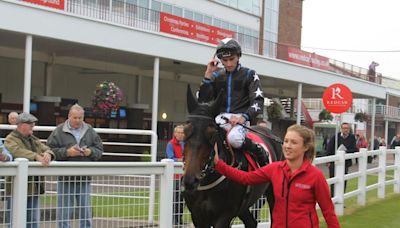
(339, 186)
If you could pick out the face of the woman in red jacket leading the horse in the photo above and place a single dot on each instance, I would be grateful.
(293, 146)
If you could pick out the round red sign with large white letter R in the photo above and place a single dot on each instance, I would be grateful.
(337, 98)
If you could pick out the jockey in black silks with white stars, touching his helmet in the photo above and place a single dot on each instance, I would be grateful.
(243, 95)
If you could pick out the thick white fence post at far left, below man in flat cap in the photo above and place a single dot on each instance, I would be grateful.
(20, 194)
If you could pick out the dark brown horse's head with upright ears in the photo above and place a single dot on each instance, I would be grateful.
(200, 133)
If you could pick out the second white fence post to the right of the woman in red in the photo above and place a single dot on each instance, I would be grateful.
(362, 180)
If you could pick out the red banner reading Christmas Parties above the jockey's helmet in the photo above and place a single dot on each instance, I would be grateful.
(192, 29)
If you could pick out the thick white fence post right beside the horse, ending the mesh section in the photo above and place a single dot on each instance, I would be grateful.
(166, 195)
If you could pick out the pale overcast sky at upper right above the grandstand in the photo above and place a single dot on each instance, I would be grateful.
(360, 25)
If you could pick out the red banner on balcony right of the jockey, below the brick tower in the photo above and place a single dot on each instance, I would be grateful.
(309, 59)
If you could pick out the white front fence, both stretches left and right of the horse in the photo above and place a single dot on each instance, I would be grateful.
(109, 174)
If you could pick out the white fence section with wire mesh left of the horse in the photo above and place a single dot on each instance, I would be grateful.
(101, 172)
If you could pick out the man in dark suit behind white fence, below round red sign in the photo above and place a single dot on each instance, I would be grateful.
(348, 140)
